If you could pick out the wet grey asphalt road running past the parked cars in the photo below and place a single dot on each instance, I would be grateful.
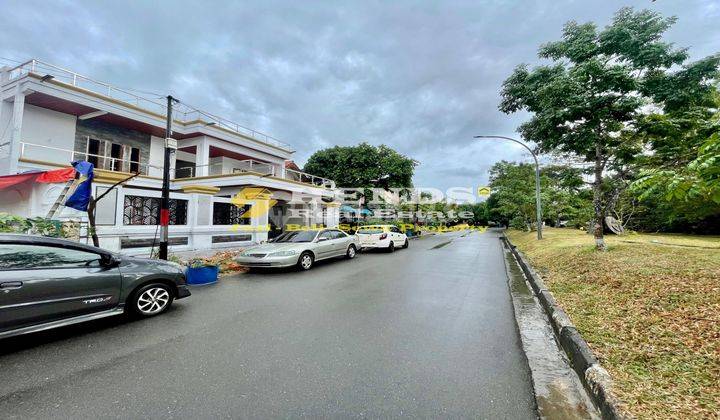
(424, 332)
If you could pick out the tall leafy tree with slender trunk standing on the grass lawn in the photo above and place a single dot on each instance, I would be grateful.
(596, 89)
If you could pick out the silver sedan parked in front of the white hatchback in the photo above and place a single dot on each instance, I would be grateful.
(301, 248)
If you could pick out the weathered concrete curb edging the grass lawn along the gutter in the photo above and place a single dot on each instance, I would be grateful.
(594, 378)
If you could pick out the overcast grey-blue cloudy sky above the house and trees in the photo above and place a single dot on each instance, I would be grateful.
(422, 77)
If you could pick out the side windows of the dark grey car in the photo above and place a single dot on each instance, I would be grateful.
(21, 256)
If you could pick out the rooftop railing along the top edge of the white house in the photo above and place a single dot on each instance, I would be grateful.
(132, 97)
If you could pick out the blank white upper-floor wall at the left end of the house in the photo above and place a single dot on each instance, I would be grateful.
(48, 128)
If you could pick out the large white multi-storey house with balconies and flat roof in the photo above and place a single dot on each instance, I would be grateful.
(50, 116)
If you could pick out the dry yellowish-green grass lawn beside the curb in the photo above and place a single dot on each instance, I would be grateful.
(650, 309)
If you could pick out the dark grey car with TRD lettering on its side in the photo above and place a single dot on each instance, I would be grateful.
(47, 283)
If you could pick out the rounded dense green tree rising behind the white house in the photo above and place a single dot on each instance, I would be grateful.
(360, 166)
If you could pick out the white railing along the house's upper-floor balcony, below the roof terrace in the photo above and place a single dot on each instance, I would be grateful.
(58, 155)
